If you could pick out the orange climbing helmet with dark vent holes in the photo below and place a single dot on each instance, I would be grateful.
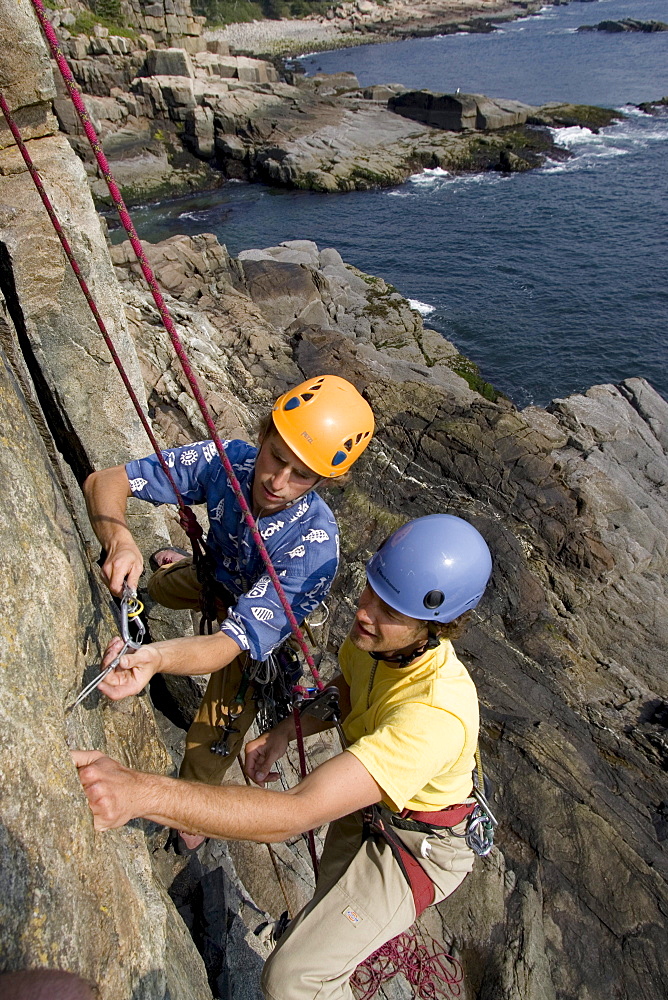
(325, 422)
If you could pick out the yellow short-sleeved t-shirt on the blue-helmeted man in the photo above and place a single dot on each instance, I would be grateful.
(414, 728)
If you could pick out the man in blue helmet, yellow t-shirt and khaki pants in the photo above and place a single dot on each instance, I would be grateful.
(399, 798)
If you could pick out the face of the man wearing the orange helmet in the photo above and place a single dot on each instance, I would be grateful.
(280, 477)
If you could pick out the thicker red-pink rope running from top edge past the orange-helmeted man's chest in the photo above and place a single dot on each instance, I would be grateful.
(126, 221)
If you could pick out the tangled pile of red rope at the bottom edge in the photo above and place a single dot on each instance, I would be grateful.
(431, 973)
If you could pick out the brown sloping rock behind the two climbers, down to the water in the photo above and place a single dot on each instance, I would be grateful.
(568, 651)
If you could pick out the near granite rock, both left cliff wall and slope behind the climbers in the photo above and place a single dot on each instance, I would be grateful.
(568, 650)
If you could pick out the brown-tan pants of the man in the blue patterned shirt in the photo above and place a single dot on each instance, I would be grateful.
(176, 586)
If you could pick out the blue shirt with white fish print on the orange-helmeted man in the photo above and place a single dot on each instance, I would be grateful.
(302, 540)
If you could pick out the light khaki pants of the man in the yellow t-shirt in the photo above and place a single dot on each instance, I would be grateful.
(362, 900)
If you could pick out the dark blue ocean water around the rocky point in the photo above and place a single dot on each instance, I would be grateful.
(553, 280)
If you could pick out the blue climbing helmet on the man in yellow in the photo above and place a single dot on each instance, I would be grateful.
(434, 568)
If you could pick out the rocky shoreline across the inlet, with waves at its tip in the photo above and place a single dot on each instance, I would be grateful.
(182, 118)
